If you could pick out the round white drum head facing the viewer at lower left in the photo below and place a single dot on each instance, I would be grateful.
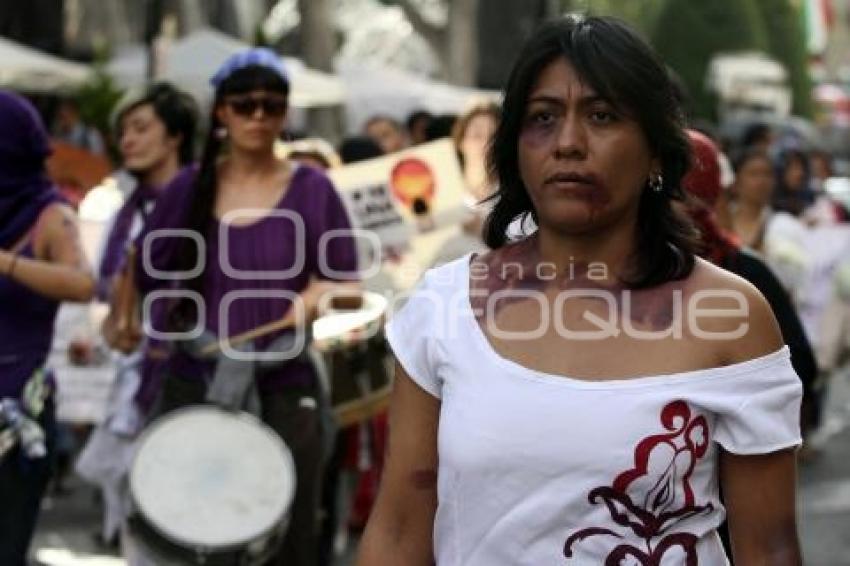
(208, 478)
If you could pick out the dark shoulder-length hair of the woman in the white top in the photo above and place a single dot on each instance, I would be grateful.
(623, 69)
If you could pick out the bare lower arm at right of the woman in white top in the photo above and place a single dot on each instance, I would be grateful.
(759, 493)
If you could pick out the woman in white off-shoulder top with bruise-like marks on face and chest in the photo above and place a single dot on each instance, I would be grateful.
(580, 396)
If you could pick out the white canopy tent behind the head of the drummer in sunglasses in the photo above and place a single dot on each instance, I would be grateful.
(192, 60)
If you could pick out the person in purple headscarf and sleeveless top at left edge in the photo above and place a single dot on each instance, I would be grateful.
(41, 264)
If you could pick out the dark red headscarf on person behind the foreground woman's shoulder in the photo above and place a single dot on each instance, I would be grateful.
(702, 182)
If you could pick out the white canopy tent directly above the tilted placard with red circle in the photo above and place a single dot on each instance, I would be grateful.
(379, 90)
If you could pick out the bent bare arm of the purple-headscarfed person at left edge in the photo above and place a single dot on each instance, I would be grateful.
(60, 270)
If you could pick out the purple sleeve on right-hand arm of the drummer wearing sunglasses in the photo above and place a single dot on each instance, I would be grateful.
(339, 250)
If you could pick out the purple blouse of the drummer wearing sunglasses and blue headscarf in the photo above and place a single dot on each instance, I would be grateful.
(246, 265)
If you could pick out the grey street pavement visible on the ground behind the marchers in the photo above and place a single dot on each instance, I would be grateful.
(65, 535)
